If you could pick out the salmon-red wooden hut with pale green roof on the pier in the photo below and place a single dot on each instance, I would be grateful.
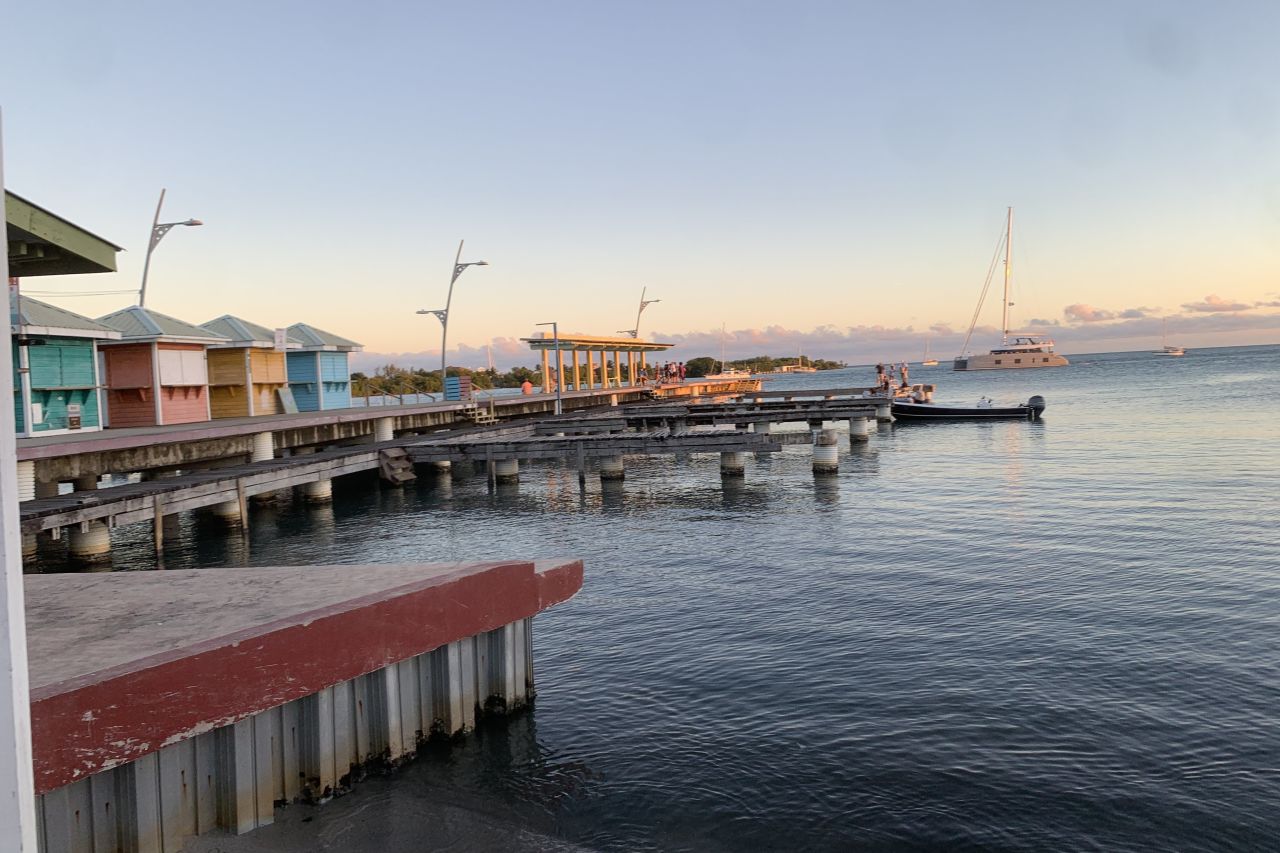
(157, 372)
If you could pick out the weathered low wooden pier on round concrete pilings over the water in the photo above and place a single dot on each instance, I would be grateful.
(228, 483)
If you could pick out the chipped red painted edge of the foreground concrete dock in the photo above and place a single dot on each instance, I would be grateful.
(93, 724)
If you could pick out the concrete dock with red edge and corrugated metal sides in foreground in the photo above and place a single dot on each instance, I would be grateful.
(170, 705)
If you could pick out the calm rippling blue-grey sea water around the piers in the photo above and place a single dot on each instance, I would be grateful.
(1023, 637)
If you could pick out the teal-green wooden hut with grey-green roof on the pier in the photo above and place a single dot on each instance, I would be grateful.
(56, 370)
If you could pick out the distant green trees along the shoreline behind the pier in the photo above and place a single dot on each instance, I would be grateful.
(394, 381)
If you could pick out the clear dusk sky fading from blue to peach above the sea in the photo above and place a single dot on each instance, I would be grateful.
(821, 176)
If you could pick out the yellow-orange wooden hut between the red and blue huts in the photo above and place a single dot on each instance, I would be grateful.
(246, 375)
